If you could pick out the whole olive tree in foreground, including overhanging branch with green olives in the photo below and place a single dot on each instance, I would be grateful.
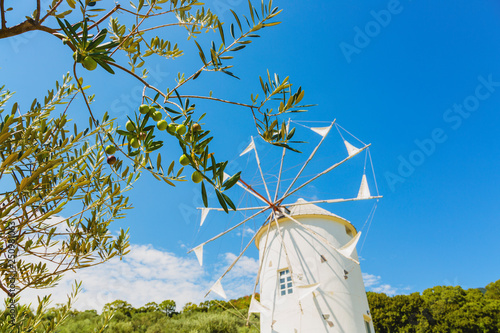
(50, 169)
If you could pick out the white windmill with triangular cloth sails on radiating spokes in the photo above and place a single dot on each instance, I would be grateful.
(309, 273)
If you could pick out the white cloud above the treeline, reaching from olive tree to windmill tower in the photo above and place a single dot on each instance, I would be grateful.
(148, 274)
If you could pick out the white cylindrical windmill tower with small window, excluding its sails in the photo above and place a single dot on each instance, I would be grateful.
(306, 285)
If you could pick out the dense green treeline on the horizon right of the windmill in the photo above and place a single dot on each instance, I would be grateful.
(438, 310)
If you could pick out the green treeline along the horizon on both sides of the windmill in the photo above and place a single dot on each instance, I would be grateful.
(436, 310)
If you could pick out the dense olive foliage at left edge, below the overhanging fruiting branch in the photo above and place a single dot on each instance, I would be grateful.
(46, 167)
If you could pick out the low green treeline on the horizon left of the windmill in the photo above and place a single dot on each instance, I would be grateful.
(206, 317)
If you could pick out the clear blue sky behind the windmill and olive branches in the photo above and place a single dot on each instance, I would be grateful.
(397, 85)
